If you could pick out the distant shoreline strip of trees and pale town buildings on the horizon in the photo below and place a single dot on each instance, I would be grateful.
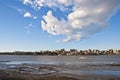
(64, 52)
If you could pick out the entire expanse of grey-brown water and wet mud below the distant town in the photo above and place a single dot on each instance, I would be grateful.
(60, 67)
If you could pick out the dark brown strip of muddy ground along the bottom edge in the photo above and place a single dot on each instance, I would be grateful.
(11, 75)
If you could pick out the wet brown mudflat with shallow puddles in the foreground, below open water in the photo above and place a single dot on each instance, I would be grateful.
(58, 72)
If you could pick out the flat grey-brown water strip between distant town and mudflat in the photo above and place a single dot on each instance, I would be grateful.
(61, 59)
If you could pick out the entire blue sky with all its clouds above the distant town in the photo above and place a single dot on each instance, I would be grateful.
(34, 25)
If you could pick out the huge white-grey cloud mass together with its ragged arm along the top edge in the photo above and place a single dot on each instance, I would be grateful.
(87, 17)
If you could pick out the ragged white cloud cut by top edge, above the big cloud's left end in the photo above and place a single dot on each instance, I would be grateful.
(37, 4)
